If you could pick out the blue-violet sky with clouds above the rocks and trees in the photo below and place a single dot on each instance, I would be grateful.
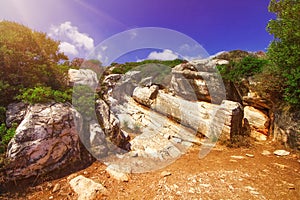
(80, 25)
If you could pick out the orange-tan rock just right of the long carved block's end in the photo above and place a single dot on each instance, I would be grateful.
(258, 121)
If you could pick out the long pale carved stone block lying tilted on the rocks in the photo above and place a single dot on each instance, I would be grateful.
(208, 119)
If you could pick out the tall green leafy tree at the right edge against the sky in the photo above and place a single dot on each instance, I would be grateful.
(284, 51)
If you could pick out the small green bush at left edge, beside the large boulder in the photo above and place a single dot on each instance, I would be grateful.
(6, 134)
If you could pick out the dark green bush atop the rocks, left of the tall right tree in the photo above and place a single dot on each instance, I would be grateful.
(237, 70)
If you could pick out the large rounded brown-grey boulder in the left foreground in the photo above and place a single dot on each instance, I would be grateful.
(46, 140)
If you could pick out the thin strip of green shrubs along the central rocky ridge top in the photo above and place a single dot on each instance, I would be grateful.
(123, 68)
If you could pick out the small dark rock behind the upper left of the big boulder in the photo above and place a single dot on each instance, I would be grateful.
(15, 113)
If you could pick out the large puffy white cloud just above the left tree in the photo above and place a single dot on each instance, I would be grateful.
(72, 40)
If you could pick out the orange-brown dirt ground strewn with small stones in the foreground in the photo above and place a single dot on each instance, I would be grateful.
(219, 175)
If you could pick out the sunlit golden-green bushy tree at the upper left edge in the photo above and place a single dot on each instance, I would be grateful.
(27, 59)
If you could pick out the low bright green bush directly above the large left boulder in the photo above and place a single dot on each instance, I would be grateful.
(41, 94)
